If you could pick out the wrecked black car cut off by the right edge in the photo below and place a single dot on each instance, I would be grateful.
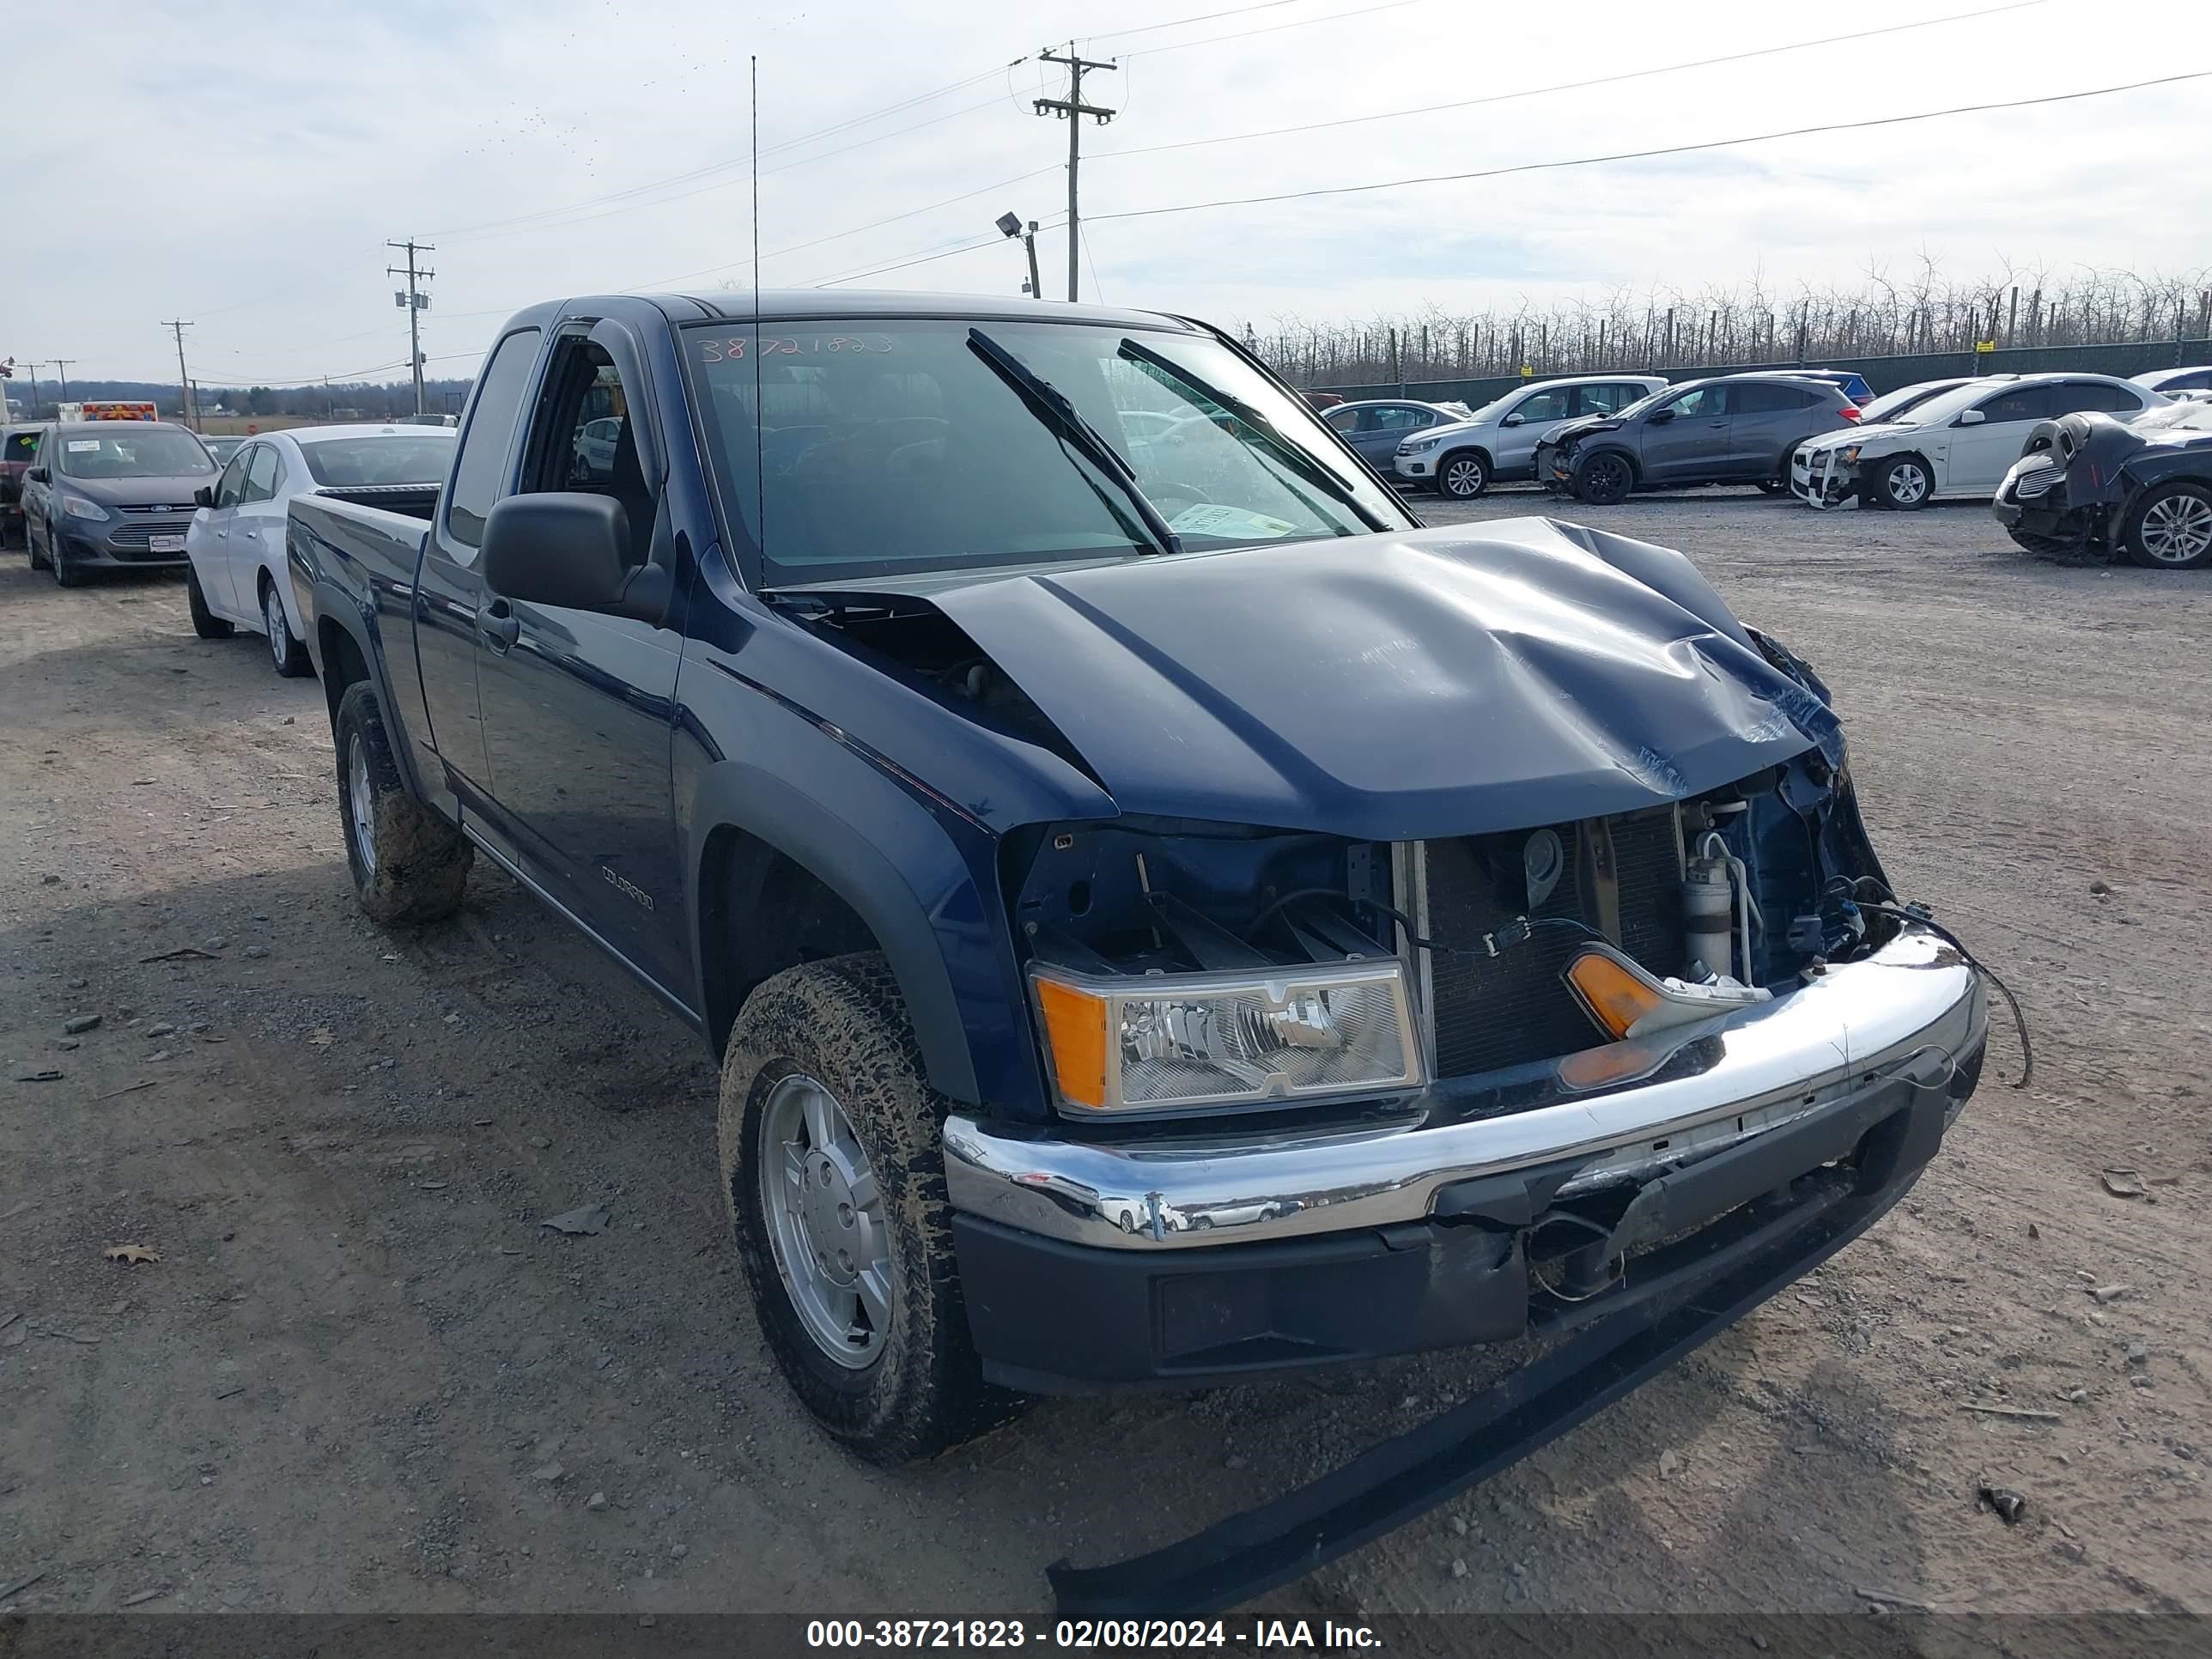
(2087, 486)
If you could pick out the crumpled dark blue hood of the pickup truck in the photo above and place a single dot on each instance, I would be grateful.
(1397, 687)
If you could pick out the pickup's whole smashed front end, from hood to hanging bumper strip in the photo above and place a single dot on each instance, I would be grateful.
(1490, 952)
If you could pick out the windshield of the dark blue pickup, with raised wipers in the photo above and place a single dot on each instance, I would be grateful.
(893, 446)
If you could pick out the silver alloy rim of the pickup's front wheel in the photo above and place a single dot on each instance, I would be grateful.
(826, 1222)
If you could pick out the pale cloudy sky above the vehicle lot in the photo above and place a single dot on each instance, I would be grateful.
(242, 165)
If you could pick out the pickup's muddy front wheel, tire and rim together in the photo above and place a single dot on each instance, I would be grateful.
(824, 1098)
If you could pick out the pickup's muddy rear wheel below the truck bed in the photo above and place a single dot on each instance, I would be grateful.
(410, 866)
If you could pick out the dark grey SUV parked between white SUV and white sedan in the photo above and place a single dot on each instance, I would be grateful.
(1731, 430)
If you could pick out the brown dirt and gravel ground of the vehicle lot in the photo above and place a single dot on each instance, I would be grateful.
(362, 1377)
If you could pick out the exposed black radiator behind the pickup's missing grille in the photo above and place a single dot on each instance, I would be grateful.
(1514, 1008)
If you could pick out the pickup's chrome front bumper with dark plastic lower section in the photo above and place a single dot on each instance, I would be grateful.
(1485, 1211)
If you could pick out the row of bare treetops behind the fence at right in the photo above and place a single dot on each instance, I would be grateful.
(1749, 324)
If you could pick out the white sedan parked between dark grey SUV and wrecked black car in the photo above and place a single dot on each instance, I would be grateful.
(1957, 446)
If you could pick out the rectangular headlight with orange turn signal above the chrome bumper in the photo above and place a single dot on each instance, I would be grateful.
(1167, 1043)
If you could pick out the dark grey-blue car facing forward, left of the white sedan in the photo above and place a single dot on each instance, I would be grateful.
(112, 494)
